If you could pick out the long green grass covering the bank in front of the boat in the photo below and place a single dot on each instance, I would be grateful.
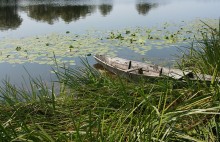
(97, 107)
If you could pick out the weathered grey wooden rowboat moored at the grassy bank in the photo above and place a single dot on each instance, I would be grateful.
(136, 70)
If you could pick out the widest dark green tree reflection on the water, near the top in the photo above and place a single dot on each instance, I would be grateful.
(50, 13)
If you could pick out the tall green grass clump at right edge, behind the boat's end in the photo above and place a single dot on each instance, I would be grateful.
(203, 56)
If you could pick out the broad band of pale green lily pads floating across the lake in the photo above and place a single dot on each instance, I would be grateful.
(66, 47)
